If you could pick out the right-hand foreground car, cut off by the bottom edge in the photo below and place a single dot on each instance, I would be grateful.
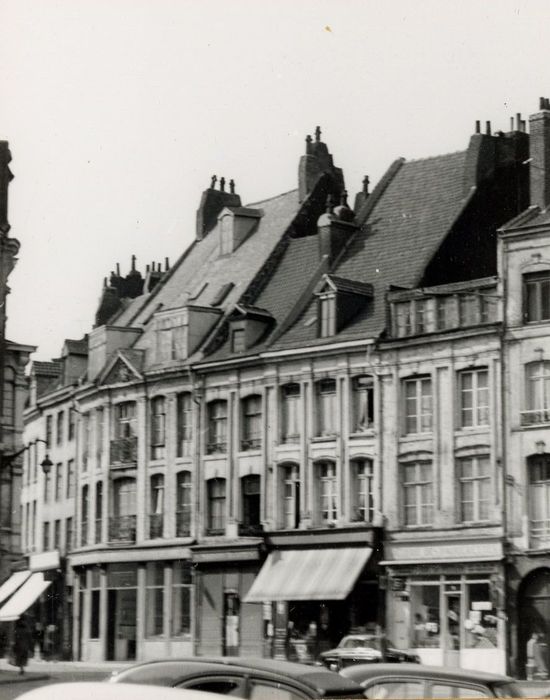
(412, 681)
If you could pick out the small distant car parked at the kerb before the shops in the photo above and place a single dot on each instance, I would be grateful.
(364, 648)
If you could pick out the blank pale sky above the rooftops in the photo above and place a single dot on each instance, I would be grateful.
(119, 111)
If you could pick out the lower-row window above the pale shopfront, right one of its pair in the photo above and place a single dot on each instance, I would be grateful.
(475, 488)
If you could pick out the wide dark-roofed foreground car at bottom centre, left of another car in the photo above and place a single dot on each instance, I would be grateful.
(257, 679)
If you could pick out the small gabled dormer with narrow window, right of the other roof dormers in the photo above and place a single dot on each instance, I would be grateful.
(339, 300)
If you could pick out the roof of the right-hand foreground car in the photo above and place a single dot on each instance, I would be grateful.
(363, 672)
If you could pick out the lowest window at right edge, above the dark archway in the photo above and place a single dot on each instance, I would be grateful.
(538, 467)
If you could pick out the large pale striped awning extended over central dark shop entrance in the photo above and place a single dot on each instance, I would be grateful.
(308, 574)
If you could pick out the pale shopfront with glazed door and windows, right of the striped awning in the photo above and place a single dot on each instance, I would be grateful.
(445, 602)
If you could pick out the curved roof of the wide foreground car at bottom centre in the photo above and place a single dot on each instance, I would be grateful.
(318, 678)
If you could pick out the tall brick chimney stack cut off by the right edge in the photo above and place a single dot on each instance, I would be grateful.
(539, 155)
